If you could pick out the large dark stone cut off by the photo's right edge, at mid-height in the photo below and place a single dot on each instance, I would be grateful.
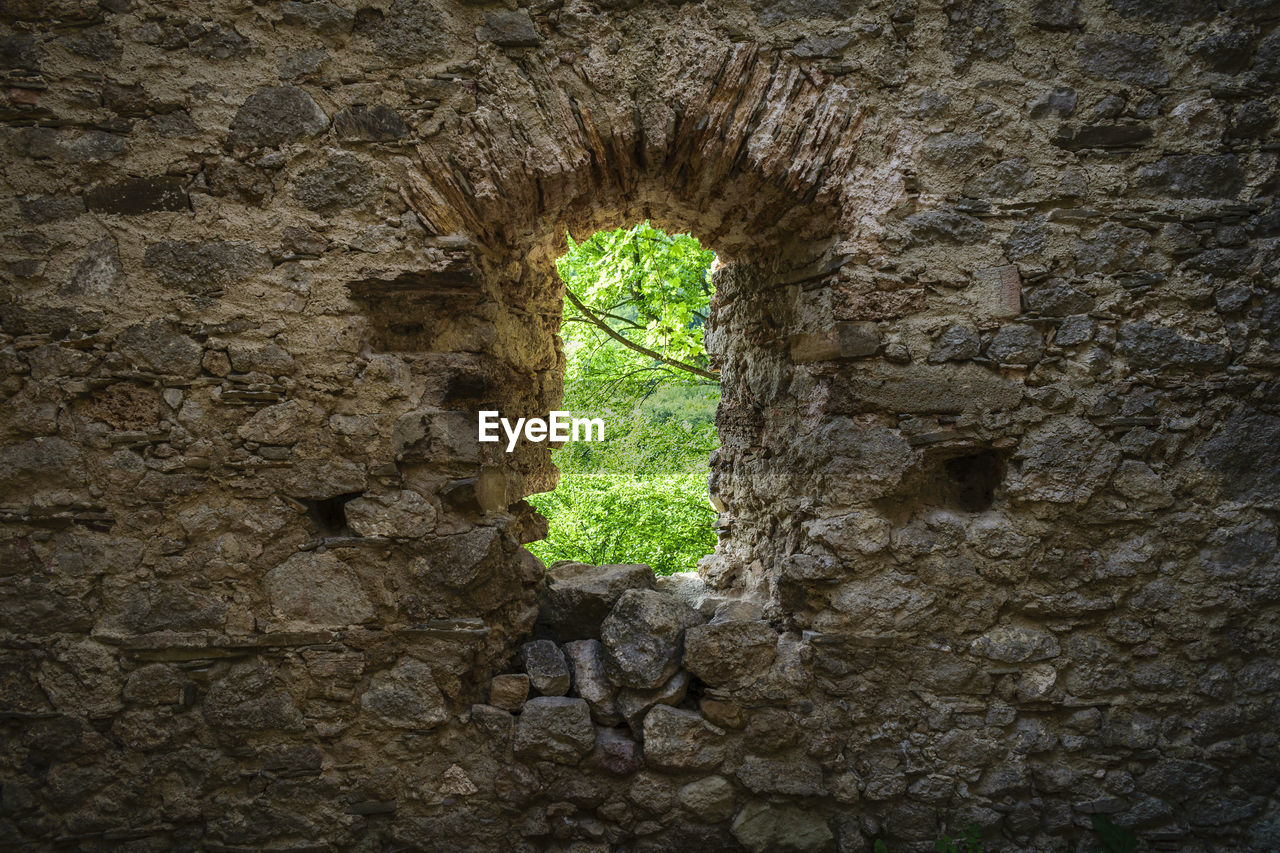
(1246, 451)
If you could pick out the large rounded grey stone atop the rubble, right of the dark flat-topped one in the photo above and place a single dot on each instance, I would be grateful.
(643, 638)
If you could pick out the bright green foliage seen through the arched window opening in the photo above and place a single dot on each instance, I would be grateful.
(641, 496)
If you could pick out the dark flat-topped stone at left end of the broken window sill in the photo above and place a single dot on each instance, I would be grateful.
(575, 597)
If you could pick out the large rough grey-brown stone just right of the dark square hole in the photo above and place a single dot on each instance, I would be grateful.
(1064, 460)
